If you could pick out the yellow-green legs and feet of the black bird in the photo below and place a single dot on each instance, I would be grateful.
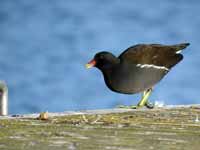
(143, 102)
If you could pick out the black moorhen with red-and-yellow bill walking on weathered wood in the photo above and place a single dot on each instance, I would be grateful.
(138, 68)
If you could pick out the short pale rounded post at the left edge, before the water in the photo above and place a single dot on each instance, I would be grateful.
(3, 98)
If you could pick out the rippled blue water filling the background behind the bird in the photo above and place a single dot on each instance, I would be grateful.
(45, 44)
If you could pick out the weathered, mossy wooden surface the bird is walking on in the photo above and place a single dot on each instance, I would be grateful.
(169, 127)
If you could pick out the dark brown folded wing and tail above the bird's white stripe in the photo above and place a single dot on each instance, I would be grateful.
(153, 54)
